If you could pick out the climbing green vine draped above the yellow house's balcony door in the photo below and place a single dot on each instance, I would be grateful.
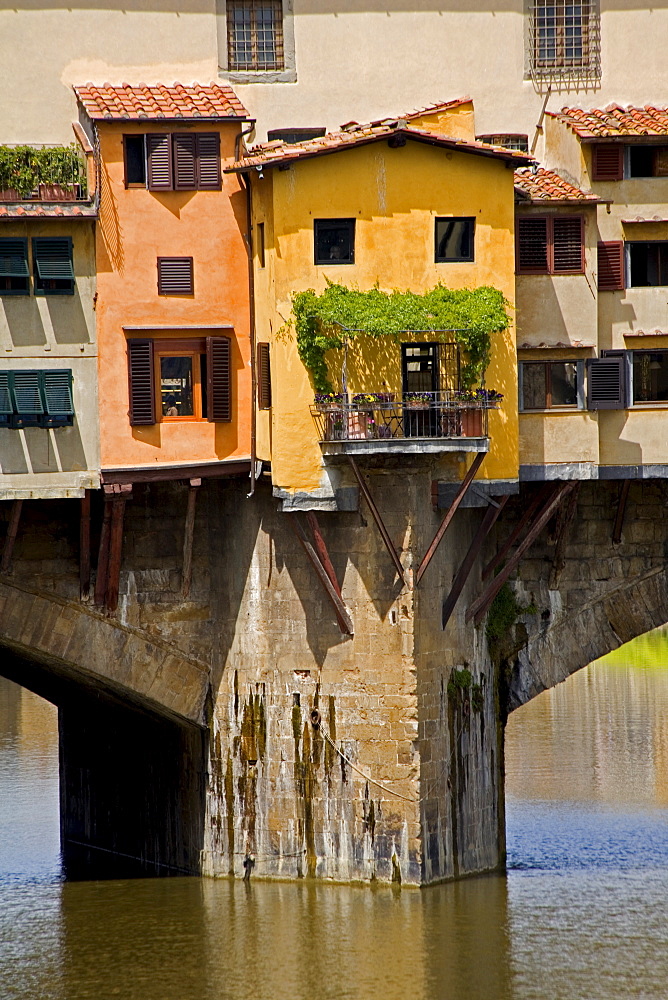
(324, 322)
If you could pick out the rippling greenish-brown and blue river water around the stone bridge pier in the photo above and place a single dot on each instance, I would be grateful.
(581, 912)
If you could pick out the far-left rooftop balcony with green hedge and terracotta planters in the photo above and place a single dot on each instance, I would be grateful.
(39, 173)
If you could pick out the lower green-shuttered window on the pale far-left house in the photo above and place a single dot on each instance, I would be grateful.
(36, 398)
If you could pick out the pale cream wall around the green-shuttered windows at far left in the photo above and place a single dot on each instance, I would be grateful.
(53, 331)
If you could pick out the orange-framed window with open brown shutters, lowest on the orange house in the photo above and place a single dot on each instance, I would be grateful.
(189, 379)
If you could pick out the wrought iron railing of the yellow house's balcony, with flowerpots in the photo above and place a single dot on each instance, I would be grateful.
(386, 416)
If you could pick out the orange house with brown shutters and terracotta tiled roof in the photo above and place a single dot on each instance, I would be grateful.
(173, 313)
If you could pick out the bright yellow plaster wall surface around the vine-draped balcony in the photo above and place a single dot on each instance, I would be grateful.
(394, 195)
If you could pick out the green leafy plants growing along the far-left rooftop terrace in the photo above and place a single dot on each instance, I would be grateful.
(24, 168)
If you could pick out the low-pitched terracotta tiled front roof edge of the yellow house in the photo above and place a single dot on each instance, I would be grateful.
(270, 154)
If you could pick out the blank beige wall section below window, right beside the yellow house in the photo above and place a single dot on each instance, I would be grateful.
(560, 436)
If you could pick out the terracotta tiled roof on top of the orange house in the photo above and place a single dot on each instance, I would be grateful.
(198, 101)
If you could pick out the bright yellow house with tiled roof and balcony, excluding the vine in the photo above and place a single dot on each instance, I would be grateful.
(404, 204)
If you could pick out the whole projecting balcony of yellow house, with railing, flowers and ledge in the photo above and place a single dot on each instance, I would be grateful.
(410, 423)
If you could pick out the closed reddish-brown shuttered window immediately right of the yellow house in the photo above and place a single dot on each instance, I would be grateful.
(550, 244)
